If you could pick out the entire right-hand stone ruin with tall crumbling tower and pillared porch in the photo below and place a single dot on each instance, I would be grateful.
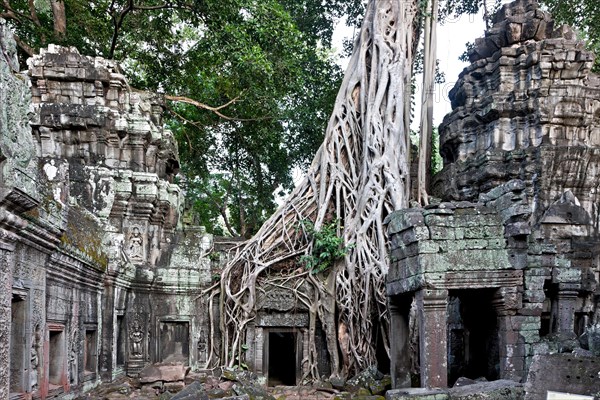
(505, 269)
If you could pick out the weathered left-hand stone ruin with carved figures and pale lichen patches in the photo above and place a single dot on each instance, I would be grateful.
(100, 277)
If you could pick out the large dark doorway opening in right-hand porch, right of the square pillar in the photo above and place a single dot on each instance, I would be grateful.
(473, 348)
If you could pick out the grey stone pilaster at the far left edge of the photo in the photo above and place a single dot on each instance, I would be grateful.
(7, 247)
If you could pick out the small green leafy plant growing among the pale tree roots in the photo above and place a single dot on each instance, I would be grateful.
(327, 248)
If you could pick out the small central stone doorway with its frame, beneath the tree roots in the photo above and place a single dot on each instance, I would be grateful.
(282, 357)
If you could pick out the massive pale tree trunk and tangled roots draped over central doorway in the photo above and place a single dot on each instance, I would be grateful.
(358, 176)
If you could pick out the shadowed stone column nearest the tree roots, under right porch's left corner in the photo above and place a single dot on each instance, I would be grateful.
(399, 307)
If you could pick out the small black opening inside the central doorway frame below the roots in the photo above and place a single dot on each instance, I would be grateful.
(282, 358)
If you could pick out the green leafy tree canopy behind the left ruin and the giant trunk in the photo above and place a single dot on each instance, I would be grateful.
(254, 83)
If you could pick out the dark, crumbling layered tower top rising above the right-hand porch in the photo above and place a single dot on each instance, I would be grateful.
(526, 108)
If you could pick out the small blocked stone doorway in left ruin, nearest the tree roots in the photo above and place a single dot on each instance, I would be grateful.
(175, 341)
